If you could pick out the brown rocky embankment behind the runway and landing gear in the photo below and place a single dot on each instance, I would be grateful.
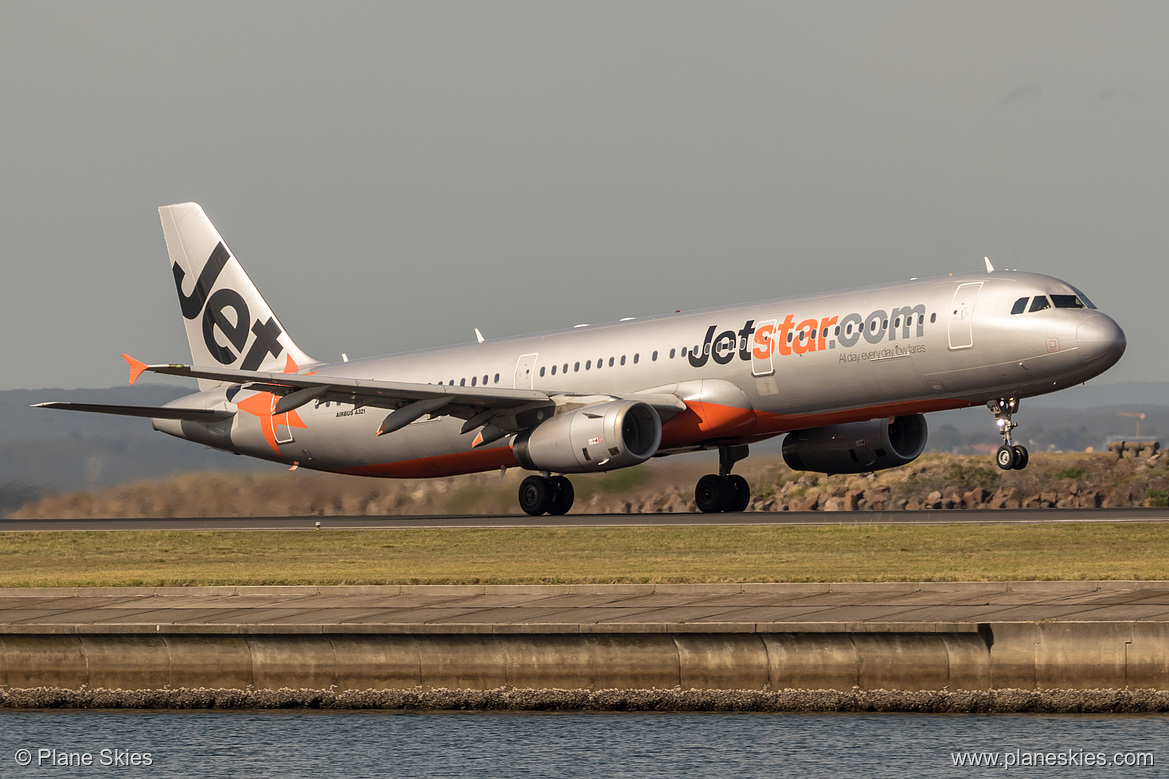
(1129, 475)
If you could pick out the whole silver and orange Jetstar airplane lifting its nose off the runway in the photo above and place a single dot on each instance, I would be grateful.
(847, 376)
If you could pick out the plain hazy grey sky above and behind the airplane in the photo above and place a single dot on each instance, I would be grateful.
(393, 175)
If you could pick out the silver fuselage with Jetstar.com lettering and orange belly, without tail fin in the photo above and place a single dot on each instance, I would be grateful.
(745, 373)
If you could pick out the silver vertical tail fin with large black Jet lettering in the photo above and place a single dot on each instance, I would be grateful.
(227, 320)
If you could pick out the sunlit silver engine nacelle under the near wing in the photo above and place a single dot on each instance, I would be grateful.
(597, 438)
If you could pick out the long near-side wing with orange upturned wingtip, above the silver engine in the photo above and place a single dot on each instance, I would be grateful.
(508, 410)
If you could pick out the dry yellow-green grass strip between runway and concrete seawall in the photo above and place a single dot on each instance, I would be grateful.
(568, 556)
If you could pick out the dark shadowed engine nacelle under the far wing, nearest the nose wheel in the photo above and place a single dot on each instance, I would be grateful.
(857, 447)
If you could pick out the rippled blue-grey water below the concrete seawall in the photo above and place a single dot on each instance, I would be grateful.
(642, 746)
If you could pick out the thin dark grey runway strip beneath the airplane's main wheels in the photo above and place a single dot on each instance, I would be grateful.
(933, 518)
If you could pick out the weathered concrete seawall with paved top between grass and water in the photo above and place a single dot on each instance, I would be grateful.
(1061, 636)
